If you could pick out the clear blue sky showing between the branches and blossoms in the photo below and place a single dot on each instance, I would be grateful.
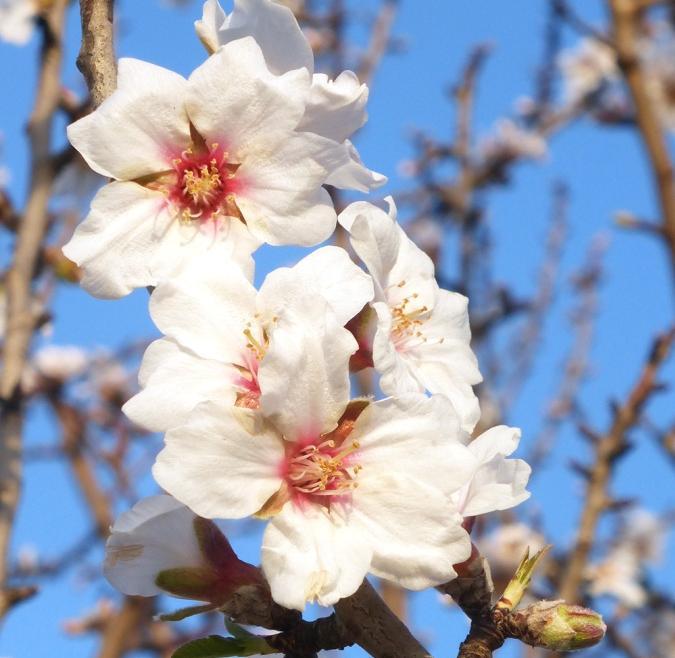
(604, 168)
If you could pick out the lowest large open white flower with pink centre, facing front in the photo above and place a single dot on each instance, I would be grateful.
(350, 488)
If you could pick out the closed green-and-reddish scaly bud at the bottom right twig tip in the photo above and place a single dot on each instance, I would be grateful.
(557, 626)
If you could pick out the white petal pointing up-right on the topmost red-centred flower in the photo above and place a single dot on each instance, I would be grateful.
(235, 101)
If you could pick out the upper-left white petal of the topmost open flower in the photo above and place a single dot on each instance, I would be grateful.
(140, 127)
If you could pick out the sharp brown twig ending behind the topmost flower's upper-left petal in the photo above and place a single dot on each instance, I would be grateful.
(96, 60)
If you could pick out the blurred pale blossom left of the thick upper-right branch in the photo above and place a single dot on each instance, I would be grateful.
(586, 68)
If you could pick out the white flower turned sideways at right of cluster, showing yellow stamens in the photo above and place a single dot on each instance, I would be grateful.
(422, 340)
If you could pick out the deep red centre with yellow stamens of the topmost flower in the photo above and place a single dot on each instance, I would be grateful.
(205, 184)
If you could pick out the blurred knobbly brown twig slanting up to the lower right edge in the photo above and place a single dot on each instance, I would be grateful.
(608, 448)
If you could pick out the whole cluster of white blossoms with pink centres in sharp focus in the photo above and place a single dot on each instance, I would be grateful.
(252, 385)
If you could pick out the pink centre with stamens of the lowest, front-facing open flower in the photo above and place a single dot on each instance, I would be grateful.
(321, 470)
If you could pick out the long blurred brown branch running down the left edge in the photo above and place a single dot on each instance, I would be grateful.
(20, 317)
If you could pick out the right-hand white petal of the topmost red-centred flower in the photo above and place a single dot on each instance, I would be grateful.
(282, 199)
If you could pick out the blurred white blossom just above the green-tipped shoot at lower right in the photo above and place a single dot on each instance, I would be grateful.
(505, 547)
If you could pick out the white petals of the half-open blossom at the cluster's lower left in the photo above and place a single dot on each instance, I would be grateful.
(156, 534)
